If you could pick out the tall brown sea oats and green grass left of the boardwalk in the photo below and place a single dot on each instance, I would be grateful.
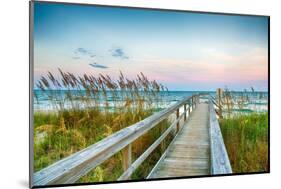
(86, 109)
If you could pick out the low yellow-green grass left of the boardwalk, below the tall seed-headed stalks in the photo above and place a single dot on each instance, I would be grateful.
(62, 137)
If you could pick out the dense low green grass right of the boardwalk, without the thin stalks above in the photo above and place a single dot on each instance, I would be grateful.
(246, 140)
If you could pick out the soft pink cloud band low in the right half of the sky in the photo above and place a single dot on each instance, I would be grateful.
(214, 67)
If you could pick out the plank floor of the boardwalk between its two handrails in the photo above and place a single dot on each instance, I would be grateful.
(189, 154)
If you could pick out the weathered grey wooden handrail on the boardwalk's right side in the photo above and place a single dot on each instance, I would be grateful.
(220, 163)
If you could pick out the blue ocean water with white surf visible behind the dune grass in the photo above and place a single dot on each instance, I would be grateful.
(43, 101)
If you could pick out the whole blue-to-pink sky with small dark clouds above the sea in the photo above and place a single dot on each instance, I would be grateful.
(182, 50)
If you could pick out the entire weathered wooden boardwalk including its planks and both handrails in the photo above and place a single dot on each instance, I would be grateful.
(197, 149)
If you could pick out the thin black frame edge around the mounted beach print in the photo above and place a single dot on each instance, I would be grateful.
(31, 80)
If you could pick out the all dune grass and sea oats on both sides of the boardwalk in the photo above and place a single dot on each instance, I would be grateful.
(85, 109)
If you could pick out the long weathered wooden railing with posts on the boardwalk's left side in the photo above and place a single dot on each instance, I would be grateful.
(73, 167)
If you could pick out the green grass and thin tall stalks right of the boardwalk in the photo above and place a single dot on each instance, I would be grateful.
(245, 133)
